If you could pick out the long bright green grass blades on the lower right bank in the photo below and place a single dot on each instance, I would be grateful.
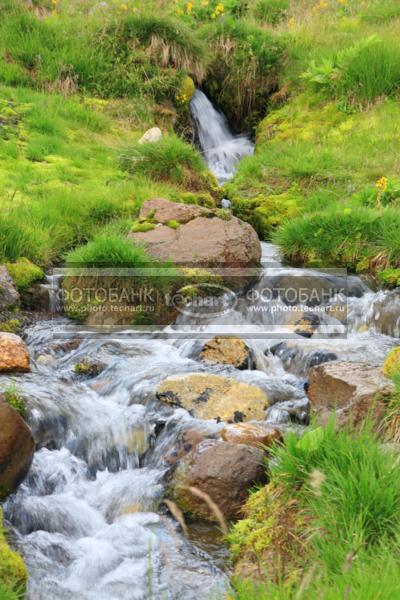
(347, 486)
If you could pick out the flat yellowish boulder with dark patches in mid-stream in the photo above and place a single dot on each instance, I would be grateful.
(214, 397)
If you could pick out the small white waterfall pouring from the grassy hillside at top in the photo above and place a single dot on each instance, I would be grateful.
(221, 149)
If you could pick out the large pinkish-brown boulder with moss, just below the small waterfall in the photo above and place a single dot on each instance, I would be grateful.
(202, 239)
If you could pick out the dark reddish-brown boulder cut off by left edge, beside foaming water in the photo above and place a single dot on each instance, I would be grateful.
(16, 448)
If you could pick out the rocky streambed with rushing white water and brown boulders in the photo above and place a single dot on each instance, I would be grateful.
(111, 442)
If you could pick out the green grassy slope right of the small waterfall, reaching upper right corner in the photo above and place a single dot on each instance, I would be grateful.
(321, 154)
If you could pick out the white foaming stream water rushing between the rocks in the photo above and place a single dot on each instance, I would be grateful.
(89, 518)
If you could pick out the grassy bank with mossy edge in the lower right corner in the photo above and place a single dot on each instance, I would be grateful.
(328, 523)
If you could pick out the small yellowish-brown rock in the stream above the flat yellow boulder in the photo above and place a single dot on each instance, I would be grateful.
(228, 351)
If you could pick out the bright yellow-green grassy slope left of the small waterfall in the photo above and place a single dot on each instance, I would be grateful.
(60, 182)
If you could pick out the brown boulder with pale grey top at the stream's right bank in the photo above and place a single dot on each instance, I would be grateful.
(352, 390)
